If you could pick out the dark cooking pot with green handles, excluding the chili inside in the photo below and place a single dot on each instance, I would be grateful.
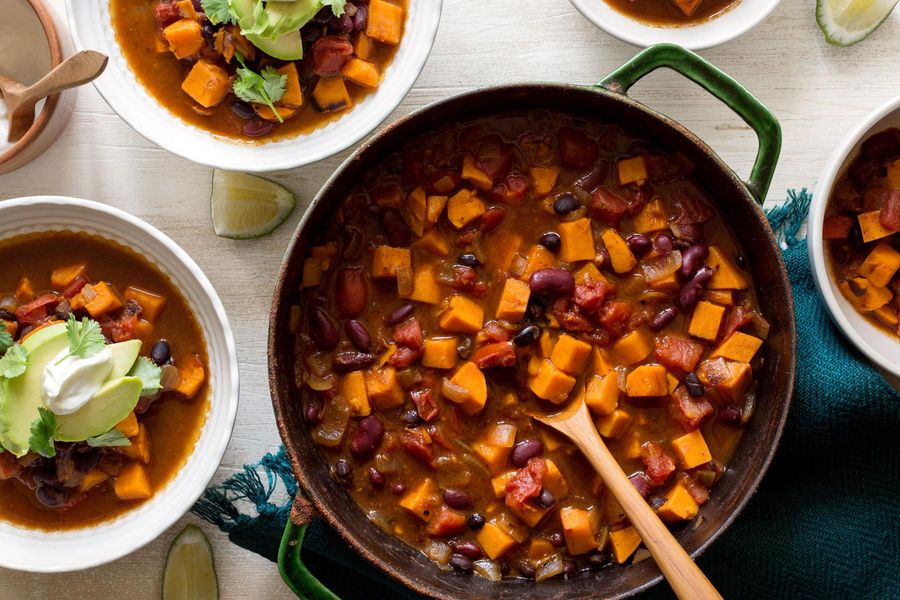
(735, 201)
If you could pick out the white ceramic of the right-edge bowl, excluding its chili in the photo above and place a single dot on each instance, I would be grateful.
(881, 348)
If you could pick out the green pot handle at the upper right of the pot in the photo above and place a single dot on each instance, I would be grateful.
(720, 85)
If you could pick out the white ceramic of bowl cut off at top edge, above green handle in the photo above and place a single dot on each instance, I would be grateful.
(736, 21)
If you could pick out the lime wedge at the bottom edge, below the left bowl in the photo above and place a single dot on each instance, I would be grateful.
(190, 571)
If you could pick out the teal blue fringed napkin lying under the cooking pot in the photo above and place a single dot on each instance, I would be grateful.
(825, 523)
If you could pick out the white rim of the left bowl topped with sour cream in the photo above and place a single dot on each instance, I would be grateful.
(222, 437)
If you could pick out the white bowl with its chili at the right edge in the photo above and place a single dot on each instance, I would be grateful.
(853, 236)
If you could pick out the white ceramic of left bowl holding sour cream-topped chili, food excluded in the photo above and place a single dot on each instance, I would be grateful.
(30, 550)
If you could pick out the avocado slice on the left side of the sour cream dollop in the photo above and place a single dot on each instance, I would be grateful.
(21, 397)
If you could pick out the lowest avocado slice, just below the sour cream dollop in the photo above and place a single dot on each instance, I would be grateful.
(112, 403)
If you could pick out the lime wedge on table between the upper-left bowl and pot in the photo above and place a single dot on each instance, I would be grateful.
(246, 206)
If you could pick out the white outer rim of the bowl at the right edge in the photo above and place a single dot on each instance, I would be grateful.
(816, 246)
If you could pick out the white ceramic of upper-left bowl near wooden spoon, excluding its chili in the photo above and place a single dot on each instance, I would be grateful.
(91, 26)
